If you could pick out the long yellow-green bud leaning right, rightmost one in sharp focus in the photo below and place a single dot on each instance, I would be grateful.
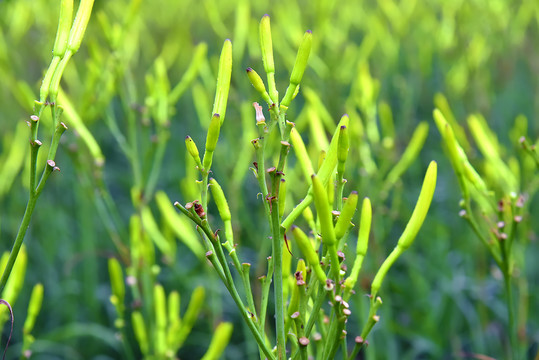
(421, 208)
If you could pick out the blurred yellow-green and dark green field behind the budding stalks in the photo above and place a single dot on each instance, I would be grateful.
(443, 299)
